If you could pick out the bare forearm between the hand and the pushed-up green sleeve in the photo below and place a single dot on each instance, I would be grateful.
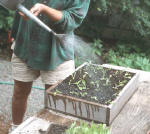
(53, 14)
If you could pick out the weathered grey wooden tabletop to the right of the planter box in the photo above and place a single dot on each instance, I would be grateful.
(135, 116)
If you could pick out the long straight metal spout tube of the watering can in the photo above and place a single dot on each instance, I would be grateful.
(34, 18)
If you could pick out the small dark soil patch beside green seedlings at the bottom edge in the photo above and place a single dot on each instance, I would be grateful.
(57, 129)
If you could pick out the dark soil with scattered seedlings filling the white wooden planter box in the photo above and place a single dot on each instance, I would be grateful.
(94, 83)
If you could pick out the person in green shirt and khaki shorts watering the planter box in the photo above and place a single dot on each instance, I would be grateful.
(37, 52)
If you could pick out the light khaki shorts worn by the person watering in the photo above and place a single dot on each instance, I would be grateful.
(22, 72)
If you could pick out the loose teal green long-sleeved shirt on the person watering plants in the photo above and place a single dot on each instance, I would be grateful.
(40, 49)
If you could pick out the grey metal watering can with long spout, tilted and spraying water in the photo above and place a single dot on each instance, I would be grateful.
(16, 4)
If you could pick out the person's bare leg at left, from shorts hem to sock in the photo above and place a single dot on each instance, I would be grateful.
(19, 100)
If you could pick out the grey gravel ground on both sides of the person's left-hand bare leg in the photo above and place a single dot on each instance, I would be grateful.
(35, 102)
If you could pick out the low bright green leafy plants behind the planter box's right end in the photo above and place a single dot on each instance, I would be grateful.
(129, 55)
